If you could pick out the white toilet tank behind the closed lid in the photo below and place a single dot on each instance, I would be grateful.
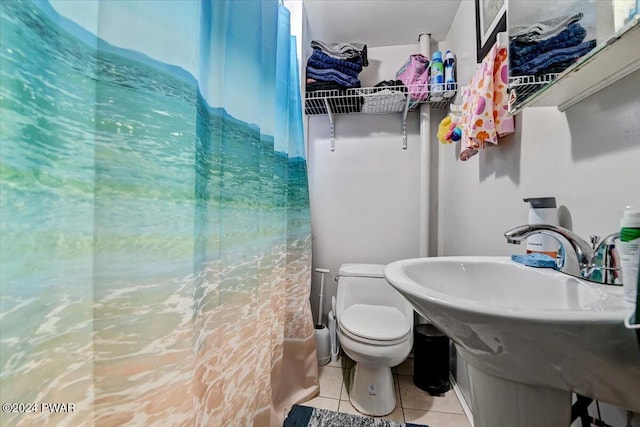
(365, 284)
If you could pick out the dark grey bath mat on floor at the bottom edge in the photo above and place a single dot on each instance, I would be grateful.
(305, 416)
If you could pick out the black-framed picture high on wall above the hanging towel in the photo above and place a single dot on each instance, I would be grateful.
(491, 18)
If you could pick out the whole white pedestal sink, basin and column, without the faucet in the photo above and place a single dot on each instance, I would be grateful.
(531, 336)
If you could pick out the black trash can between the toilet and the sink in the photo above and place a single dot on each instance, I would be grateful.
(431, 360)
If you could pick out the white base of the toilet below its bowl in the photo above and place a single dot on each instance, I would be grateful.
(372, 390)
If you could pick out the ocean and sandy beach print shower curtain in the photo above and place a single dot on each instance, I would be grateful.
(155, 238)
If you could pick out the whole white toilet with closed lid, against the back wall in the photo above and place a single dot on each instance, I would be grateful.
(375, 329)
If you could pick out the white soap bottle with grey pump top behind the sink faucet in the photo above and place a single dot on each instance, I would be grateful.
(542, 210)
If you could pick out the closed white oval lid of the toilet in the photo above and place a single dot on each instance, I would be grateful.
(375, 322)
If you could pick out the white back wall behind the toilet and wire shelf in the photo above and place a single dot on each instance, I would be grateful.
(365, 194)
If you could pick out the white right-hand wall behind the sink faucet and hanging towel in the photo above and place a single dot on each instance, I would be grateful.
(587, 157)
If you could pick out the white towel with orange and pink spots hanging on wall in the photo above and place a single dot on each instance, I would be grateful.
(485, 114)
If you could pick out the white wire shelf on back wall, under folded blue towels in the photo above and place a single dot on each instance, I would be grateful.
(377, 100)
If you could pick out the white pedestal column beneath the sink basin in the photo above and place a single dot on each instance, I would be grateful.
(497, 402)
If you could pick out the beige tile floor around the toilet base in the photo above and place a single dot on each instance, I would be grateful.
(413, 405)
